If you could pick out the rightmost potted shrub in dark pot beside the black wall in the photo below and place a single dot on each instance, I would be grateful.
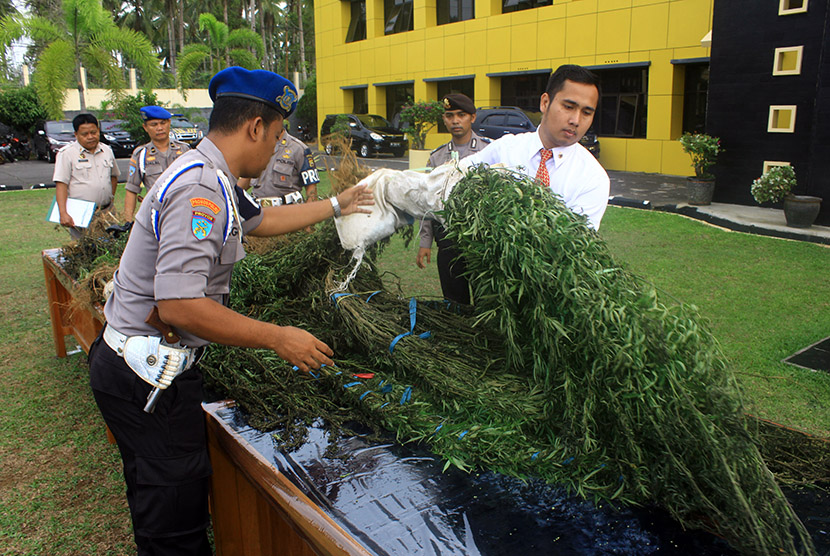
(776, 185)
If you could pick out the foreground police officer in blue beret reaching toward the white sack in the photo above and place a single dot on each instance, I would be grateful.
(170, 301)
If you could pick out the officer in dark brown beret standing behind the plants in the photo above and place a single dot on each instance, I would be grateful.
(459, 116)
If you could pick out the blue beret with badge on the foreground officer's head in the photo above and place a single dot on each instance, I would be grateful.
(264, 86)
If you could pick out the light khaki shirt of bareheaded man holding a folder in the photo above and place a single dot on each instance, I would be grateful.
(87, 173)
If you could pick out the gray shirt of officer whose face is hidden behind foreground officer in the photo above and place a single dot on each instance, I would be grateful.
(290, 169)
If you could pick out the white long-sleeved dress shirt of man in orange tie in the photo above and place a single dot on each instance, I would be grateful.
(575, 174)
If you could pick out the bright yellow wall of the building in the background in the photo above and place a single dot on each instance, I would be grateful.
(585, 32)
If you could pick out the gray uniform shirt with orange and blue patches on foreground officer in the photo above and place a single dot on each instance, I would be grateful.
(200, 225)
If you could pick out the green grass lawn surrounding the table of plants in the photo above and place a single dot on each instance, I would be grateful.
(60, 487)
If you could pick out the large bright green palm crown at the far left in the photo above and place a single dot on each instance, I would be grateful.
(87, 37)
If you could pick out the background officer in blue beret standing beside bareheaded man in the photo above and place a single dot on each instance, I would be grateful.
(148, 161)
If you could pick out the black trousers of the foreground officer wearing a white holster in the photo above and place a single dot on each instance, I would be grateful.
(166, 465)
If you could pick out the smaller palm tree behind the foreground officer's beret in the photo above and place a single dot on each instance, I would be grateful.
(222, 44)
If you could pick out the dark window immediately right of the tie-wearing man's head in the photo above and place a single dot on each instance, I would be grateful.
(623, 106)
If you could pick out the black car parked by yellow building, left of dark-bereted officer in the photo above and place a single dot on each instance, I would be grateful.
(371, 134)
